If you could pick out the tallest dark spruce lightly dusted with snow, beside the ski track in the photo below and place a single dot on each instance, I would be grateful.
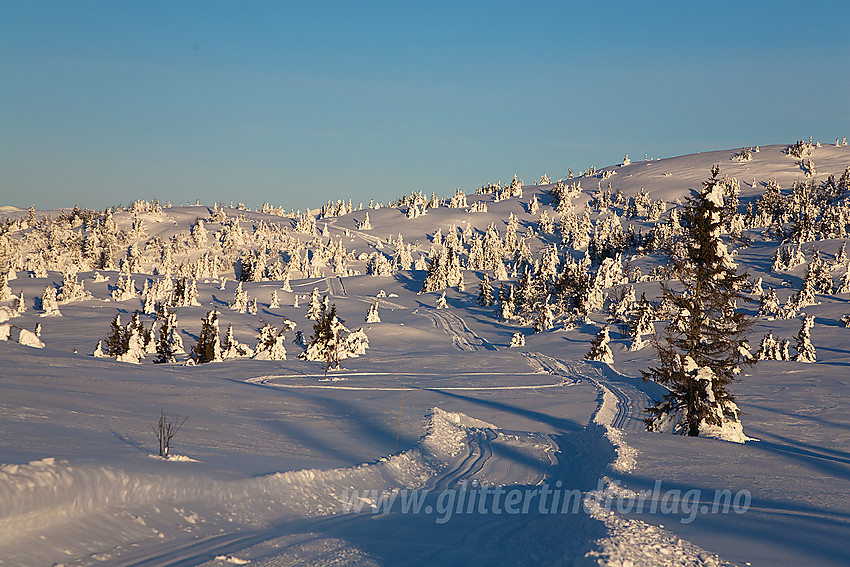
(703, 345)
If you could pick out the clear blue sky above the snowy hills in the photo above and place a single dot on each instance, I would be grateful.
(294, 103)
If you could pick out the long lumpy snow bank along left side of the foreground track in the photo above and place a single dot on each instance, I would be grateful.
(50, 493)
